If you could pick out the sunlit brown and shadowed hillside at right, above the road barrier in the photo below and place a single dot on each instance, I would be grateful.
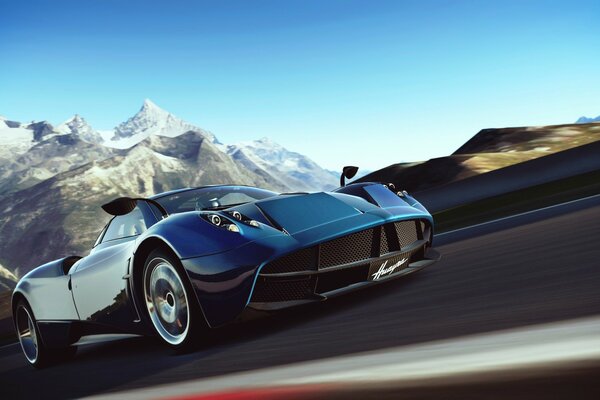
(488, 150)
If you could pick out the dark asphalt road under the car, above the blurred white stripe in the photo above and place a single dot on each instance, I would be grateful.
(535, 268)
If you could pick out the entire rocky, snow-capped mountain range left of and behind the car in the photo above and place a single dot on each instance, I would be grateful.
(53, 179)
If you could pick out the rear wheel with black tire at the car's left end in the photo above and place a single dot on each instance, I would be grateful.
(34, 349)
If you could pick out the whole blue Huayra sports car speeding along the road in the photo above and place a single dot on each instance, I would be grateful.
(181, 262)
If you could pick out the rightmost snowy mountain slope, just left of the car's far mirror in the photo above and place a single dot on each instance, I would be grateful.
(290, 168)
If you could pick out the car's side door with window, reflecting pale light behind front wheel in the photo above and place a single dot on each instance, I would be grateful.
(100, 281)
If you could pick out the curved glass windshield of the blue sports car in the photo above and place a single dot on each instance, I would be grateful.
(212, 198)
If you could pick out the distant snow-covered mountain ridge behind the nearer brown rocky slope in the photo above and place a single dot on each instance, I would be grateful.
(37, 151)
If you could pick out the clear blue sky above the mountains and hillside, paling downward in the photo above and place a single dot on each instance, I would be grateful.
(344, 82)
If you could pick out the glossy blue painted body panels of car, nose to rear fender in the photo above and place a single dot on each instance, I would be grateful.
(222, 266)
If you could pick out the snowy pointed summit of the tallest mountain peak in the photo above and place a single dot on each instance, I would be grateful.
(151, 120)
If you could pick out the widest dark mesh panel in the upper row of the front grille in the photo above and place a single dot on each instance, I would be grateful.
(347, 249)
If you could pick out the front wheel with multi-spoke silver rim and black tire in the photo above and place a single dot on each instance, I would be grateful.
(171, 306)
